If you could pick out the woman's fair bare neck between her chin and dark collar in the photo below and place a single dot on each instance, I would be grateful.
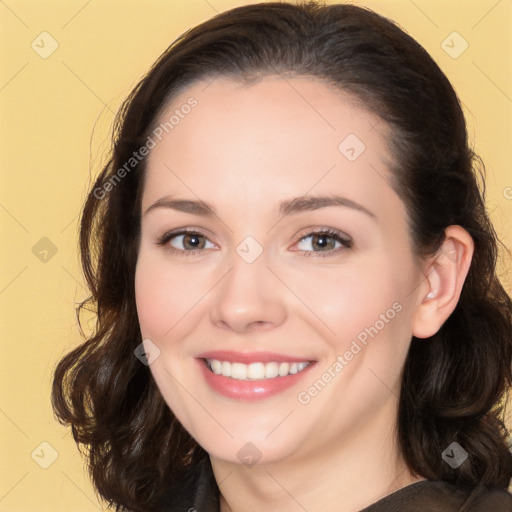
(344, 477)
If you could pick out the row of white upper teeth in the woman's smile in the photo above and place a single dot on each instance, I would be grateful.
(254, 371)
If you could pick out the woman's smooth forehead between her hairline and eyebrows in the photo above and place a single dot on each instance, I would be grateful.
(260, 142)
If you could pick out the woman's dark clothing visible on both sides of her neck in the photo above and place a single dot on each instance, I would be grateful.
(201, 494)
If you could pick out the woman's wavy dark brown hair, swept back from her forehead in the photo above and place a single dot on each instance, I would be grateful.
(454, 383)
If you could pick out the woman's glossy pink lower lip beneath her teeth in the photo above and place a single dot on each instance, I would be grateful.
(250, 390)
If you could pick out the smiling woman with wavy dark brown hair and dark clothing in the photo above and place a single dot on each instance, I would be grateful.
(294, 279)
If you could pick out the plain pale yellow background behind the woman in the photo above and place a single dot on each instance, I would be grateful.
(49, 111)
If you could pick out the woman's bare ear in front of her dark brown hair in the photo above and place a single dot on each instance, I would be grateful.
(445, 275)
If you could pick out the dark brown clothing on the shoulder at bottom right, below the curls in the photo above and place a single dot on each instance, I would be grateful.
(440, 496)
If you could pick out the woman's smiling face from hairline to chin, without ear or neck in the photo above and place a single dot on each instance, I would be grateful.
(307, 303)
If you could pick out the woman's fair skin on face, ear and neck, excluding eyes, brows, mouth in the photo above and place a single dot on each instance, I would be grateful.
(244, 149)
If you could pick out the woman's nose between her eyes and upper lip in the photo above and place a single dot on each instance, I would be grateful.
(249, 298)
